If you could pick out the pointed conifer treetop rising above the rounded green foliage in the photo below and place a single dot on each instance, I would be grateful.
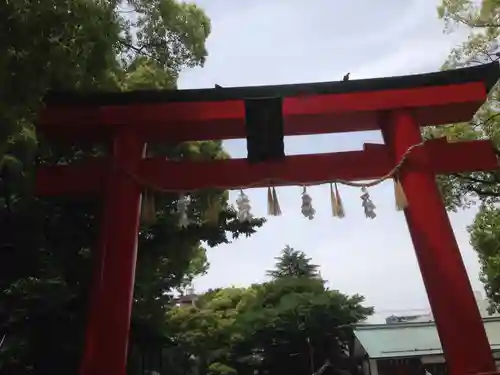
(293, 263)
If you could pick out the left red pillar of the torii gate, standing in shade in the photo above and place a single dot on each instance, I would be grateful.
(106, 350)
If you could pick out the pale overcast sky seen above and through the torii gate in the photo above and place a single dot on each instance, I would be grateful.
(286, 41)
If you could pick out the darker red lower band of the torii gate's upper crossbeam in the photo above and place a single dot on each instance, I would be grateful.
(233, 129)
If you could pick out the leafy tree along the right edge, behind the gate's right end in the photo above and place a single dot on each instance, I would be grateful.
(462, 190)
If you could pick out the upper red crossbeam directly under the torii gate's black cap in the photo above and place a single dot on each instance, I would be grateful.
(182, 121)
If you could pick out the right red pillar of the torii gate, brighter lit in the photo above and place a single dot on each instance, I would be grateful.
(458, 321)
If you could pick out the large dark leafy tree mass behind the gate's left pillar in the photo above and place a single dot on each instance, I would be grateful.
(45, 243)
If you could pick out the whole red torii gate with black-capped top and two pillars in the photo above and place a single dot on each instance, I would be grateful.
(398, 106)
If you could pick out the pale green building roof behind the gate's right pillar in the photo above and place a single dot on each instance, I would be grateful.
(412, 339)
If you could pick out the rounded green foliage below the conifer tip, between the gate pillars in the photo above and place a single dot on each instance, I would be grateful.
(288, 325)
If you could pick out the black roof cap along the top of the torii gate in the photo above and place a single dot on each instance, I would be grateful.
(487, 73)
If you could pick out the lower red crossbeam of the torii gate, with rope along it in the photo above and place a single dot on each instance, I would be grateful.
(436, 156)
